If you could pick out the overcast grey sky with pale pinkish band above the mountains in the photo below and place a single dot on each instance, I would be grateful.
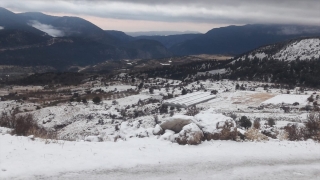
(175, 15)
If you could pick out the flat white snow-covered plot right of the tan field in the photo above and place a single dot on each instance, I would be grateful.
(287, 99)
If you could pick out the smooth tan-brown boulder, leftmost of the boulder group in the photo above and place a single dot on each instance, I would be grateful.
(176, 123)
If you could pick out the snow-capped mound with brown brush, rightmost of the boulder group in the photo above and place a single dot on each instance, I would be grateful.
(216, 126)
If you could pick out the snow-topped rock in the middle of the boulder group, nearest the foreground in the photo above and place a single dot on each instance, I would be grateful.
(190, 134)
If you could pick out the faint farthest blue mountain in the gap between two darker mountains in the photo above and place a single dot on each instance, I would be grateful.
(170, 40)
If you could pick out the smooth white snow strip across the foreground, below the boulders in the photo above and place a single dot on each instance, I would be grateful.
(151, 158)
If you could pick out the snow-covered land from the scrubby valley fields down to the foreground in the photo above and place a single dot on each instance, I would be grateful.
(133, 147)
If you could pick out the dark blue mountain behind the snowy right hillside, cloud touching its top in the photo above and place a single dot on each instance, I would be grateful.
(239, 39)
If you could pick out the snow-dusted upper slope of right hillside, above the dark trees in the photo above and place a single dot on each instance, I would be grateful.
(303, 49)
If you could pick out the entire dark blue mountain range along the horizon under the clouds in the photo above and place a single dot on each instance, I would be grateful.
(37, 39)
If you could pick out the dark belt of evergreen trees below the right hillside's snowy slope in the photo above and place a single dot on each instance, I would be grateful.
(299, 72)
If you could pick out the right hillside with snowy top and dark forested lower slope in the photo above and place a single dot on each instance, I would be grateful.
(295, 62)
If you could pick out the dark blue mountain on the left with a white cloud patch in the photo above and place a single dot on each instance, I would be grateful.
(37, 39)
